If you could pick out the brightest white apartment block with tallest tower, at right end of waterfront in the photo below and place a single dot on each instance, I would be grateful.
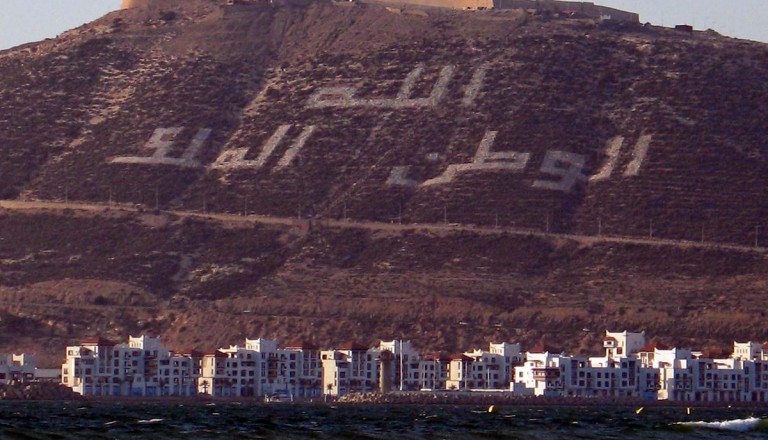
(652, 372)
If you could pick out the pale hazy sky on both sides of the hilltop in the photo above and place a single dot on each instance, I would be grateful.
(23, 21)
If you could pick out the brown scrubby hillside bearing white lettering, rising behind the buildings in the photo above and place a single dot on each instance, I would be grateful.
(488, 123)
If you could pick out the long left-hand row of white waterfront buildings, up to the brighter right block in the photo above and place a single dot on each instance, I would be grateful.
(144, 367)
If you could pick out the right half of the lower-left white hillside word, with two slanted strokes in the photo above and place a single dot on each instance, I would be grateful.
(235, 159)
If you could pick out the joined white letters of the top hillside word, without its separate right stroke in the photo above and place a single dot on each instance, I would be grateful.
(344, 97)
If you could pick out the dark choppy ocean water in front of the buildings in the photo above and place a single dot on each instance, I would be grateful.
(200, 420)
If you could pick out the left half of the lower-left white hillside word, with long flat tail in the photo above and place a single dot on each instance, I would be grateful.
(162, 141)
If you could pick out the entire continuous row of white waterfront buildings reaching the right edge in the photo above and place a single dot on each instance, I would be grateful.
(630, 367)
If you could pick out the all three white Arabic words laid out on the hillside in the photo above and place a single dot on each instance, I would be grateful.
(565, 169)
